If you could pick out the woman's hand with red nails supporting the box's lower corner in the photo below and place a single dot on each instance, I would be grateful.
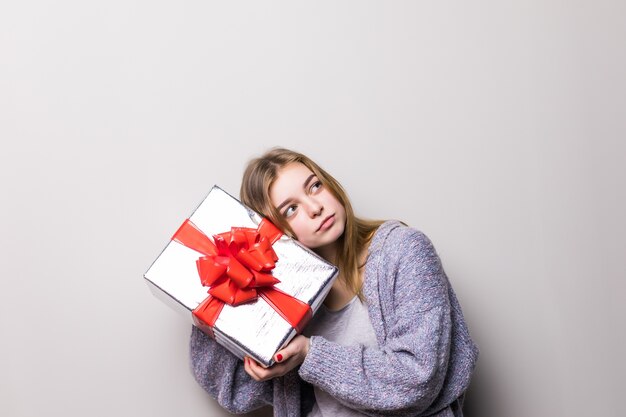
(286, 359)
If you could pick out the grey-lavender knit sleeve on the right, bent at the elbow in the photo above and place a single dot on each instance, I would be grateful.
(404, 375)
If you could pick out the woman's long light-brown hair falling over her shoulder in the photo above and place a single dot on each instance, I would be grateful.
(259, 176)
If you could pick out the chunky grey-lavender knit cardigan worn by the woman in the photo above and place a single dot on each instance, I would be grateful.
(423, 362)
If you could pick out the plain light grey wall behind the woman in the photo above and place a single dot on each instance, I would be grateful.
(495, 127)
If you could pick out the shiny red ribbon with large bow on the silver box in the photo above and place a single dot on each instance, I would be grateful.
(236, 266)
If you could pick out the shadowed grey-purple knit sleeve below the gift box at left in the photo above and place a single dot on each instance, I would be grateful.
(223, 376)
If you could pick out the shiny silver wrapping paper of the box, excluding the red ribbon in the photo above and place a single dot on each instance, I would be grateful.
(253, 329)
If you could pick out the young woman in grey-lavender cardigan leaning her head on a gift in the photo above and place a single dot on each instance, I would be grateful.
(389, 339)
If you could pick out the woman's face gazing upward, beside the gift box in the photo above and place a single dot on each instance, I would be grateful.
(314, 214)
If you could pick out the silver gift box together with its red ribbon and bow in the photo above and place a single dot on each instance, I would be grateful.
(239, 279)
